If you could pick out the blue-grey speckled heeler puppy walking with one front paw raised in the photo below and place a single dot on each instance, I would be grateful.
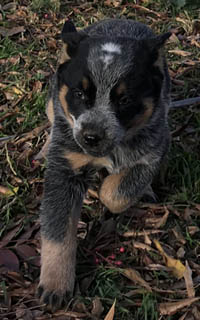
(108, 106)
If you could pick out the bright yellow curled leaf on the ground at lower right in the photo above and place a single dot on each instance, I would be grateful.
(175, 265)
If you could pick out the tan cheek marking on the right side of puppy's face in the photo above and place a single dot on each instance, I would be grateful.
(140, 120)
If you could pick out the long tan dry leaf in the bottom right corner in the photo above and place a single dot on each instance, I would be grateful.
(169, 308)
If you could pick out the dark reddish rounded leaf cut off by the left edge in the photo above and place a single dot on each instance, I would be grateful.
(9, 260)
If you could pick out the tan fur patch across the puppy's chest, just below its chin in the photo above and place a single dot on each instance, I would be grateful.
(78, 160)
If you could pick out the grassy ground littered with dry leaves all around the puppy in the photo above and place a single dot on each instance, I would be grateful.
(27, 61)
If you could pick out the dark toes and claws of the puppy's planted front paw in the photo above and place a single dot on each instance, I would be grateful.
(54, 300)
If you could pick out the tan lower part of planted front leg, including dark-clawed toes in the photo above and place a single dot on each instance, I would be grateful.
(57, 276)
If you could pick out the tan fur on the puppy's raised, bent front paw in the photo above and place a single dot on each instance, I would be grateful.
(109, 195)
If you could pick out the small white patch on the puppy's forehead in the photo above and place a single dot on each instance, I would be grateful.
(109, 49)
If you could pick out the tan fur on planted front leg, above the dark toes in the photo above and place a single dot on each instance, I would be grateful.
(58, 260)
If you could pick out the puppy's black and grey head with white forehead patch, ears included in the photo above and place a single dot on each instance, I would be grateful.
(108, 86)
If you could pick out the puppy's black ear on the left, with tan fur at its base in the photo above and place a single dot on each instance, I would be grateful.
(71, 39)
